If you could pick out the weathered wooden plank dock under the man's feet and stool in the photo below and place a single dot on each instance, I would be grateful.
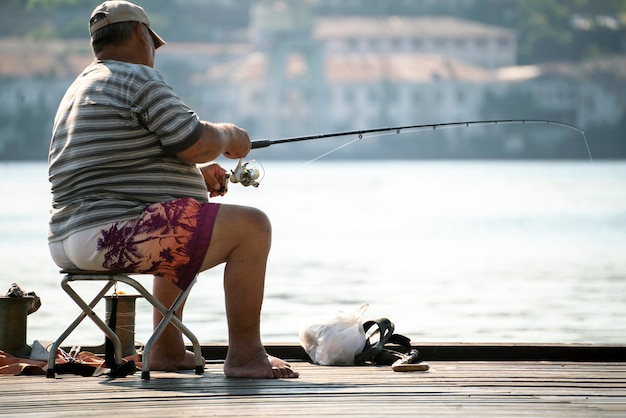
(471, 388)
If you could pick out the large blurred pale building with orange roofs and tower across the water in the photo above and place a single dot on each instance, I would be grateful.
(337, 73)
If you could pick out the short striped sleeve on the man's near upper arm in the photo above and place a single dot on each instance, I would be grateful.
(158, 109)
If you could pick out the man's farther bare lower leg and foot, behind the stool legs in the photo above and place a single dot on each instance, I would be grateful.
(168, 352)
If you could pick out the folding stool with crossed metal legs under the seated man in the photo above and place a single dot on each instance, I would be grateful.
(111, 279)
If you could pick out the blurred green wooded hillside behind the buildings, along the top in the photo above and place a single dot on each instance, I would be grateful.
(548, 30)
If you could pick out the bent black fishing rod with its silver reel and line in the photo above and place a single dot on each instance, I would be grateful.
(249, 174)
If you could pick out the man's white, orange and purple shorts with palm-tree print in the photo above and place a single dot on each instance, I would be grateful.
(170, 239)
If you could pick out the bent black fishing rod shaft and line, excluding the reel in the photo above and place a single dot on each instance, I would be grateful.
(263, 143)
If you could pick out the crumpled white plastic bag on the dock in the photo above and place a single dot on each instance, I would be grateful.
(336, 339)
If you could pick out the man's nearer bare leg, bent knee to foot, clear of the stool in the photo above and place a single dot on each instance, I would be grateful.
(242, 239)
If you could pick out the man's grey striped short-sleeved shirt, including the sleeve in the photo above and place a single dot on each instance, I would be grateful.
(113, 150)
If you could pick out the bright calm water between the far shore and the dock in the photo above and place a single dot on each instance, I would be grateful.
(450, 251)
